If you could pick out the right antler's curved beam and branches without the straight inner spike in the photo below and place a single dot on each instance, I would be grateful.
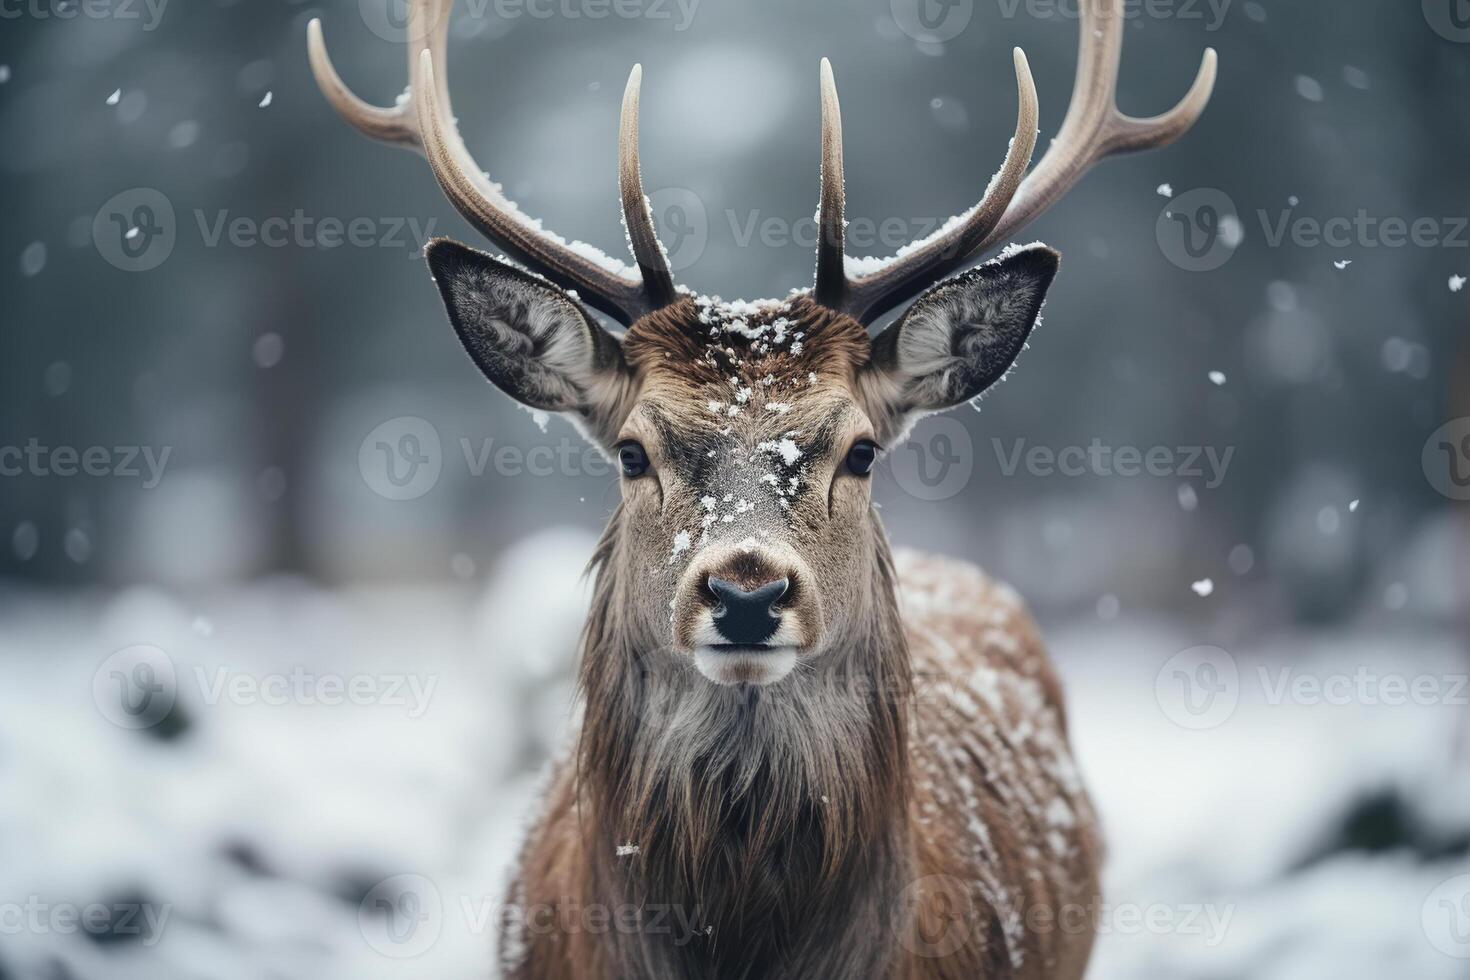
(1093, 131)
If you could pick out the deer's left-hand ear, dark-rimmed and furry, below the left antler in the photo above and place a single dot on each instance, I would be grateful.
(531, 339)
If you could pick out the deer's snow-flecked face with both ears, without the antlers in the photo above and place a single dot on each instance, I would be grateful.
(746, 437)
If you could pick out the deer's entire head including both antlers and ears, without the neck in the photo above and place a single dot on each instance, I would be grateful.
(747, 431)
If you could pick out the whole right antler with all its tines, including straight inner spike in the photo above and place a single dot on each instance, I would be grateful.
(1093, 130)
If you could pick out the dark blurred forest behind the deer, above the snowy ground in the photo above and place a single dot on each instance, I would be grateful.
(262, 368)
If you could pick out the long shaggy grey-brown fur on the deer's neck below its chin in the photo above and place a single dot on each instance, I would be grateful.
(772, 819)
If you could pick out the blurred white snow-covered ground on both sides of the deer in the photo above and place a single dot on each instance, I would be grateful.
(339, 781)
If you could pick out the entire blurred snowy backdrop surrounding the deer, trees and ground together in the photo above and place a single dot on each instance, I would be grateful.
(173, 306)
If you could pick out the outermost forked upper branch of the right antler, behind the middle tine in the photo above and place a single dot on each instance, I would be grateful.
(1094, 127)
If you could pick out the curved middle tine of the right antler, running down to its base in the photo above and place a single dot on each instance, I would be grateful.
(921, 264)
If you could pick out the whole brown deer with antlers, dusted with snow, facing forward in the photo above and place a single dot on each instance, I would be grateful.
(797, 753)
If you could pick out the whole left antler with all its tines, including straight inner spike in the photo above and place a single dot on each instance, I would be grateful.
(424, 121)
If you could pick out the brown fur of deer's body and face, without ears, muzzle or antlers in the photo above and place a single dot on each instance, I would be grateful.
(900, 806)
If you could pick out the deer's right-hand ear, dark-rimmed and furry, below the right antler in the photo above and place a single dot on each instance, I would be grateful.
(959, 337)
